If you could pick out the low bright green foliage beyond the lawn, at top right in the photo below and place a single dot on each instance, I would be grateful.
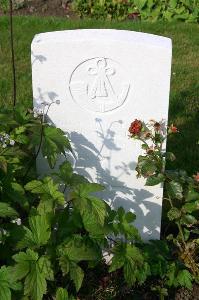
(153, 10)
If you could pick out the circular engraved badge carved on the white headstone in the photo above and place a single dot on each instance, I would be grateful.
(98, 84)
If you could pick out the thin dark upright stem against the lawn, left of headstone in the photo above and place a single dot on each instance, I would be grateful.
(13, 55)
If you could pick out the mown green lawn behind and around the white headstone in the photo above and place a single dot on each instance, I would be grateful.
(184, 98)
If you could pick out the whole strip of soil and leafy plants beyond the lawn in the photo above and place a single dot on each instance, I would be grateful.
(153, 10)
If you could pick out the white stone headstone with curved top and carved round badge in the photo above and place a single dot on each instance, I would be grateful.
(105, 79)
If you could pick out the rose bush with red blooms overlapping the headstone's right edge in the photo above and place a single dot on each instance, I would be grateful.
(181, 190)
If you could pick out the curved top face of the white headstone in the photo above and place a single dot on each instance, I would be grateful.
(104, 34)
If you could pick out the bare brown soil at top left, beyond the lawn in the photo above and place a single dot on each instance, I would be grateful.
(59, 8)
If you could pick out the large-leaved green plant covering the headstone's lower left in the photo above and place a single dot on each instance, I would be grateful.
(49, 235)
